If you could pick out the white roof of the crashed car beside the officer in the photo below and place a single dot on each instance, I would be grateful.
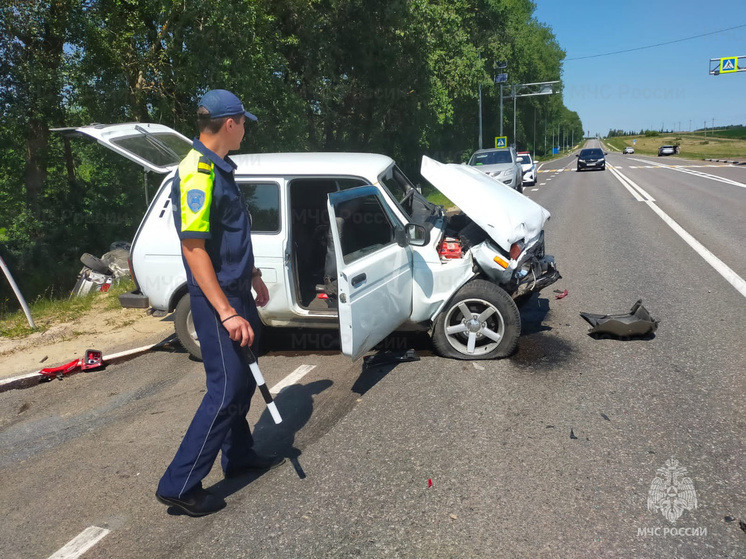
(309, 163)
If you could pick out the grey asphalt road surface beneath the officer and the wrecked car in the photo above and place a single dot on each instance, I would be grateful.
(550, 453)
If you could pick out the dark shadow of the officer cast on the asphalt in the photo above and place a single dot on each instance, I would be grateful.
(295, 404)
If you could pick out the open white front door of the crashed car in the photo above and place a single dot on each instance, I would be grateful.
(374, 268)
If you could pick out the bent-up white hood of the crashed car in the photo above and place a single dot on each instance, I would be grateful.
(506, 215)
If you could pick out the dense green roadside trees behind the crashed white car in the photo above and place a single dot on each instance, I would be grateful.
(399, 77)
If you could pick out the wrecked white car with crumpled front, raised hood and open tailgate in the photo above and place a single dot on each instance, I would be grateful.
(391, 261)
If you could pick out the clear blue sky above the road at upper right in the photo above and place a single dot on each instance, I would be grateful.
(665, 87)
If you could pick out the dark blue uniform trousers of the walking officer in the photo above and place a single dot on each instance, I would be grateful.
(220, 422)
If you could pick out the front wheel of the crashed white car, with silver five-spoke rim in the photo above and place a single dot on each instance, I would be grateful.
(452, 336)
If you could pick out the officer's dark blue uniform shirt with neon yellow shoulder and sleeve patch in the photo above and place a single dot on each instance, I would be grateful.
(207, 204)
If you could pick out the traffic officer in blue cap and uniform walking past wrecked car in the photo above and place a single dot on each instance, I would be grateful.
(214, 226)
